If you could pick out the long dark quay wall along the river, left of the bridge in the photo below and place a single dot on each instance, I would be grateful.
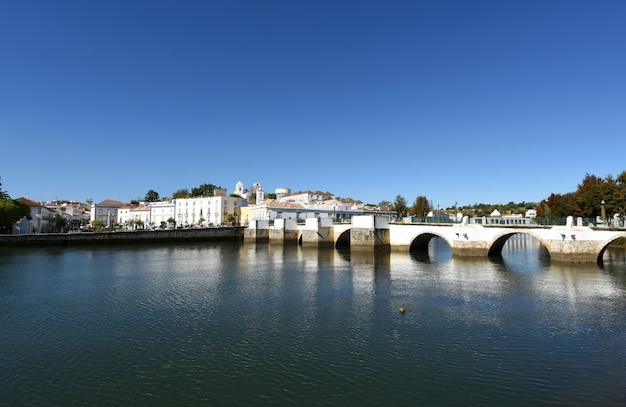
(134, 237)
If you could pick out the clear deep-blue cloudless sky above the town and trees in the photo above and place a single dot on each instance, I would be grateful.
(460, 101)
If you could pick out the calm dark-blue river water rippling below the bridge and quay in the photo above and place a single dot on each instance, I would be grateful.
(233, 324)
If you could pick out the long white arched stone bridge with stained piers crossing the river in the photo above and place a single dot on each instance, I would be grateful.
(569, 243)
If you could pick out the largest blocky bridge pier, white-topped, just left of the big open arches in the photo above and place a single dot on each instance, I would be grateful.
(370, 233)
